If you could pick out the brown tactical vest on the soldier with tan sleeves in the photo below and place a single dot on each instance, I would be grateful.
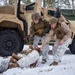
(59, 32)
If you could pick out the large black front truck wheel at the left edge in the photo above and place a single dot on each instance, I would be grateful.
(10, 42)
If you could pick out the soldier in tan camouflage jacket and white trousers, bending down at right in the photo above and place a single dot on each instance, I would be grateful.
(63, 34)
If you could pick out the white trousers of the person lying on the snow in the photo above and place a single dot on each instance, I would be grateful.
(29, 59)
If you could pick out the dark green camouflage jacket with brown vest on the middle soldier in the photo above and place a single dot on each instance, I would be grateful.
(43, 24)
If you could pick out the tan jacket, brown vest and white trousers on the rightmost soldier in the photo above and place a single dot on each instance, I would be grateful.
(63, 33)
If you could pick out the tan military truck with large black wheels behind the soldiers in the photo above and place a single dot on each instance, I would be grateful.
(15, 21)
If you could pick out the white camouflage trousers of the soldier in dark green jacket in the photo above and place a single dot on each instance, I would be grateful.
(45, 48)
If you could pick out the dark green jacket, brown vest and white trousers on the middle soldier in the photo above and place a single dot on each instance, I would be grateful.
(44, 27)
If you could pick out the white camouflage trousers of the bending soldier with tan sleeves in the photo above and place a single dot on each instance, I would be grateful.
(59, 50)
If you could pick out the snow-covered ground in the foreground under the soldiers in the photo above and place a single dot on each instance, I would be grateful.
(66, 67)
